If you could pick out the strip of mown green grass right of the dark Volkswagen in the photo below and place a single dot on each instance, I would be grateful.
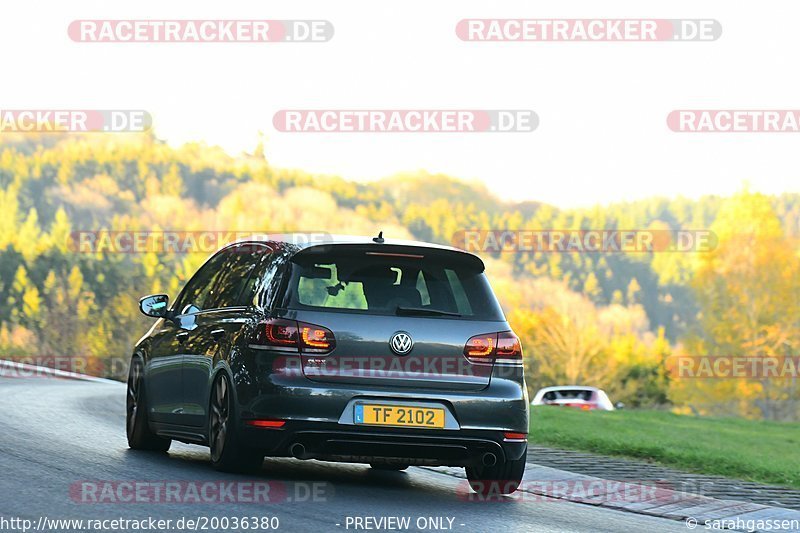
(767, 452)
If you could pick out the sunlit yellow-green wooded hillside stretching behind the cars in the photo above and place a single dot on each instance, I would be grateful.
(612, 319)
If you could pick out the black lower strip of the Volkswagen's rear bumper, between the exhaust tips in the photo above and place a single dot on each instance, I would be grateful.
(333, 442)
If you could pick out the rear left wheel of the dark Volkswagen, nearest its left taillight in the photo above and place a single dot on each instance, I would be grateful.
(227, 452)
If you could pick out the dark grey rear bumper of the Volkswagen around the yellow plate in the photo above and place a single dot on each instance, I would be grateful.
(319, 416)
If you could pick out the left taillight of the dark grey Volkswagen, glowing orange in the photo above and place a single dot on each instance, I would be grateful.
(292, 336)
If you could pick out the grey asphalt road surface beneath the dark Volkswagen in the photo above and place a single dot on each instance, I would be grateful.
(62, 446)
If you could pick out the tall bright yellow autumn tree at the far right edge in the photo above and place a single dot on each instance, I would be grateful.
(748, 289)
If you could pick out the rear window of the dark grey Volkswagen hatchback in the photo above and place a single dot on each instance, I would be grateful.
(436, 283)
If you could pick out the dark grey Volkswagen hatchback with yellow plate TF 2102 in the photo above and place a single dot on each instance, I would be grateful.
(392, 353)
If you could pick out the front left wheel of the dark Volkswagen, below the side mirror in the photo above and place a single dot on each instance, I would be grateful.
(137, 425)
